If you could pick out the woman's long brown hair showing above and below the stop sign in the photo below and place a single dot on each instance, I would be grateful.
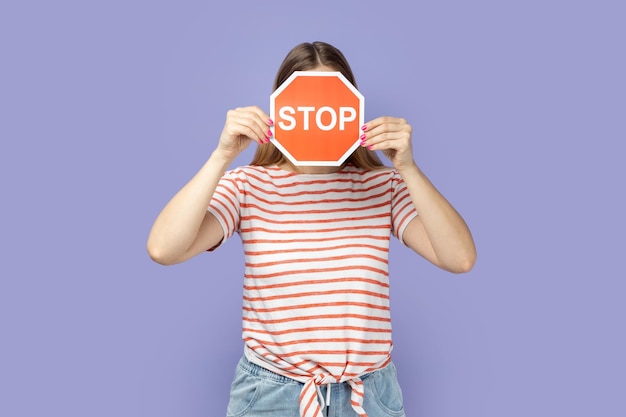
(304, 57)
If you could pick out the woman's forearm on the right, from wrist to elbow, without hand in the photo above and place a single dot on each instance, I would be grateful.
(447, 232)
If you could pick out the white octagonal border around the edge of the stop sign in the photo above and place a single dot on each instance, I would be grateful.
(318, 74)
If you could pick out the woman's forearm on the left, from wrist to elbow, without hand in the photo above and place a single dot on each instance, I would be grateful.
(176, 227)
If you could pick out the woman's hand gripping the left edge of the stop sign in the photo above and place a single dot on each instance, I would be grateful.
(243, 126)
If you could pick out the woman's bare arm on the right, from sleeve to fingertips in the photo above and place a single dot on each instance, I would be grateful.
(438, 233)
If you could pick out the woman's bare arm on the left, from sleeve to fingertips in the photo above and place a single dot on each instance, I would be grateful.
(184, 228)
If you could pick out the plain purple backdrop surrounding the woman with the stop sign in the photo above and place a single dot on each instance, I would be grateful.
(108, 108)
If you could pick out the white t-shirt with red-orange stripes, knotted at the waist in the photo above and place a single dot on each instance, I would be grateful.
(316, 283)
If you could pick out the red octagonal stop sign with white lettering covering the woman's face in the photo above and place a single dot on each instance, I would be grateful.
(317, 118)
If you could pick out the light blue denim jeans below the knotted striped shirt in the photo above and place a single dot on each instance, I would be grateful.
(257, 392)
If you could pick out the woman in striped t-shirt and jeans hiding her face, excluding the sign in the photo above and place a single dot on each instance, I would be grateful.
(316, 324)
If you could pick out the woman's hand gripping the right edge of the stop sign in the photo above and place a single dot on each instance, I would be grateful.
(391, 135)
